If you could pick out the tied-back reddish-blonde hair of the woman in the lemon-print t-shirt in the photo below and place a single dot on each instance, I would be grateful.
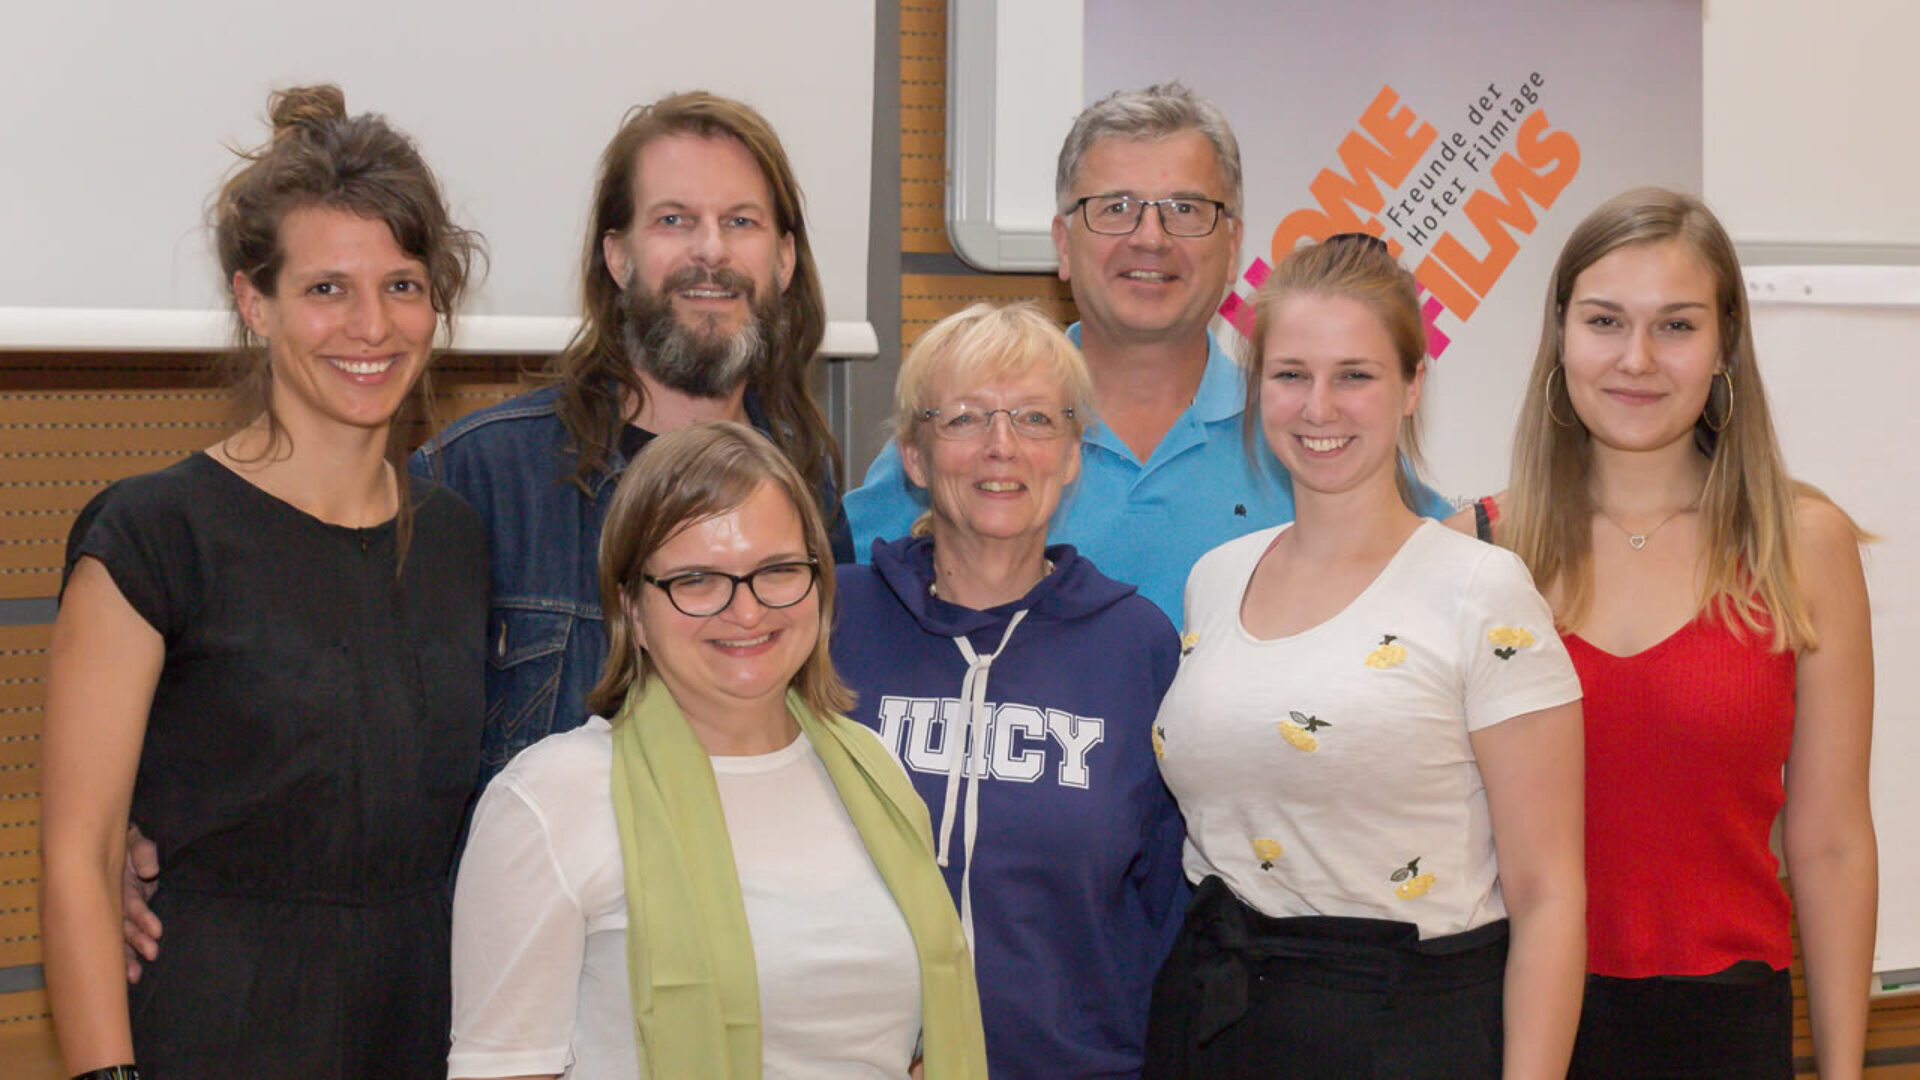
(1358, 268)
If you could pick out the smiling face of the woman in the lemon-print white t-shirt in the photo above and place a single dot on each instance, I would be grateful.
(1333, 395)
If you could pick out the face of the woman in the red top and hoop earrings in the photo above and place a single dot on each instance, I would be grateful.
(1643, 345)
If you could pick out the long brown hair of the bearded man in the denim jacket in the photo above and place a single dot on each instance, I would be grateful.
(594, 372)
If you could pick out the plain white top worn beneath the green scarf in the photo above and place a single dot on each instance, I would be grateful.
(540, 981)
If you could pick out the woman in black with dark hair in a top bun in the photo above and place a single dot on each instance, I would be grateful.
(272, 658)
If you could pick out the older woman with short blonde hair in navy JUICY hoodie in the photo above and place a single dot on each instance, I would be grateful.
(1019, 685)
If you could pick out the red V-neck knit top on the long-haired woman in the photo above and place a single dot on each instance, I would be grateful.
(1685, 754)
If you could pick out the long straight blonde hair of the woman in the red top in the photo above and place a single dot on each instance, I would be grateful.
(1746, 510)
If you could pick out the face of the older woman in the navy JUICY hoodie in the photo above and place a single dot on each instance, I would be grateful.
(999, 487)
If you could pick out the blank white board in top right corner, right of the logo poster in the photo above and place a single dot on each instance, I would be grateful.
(1810, 122)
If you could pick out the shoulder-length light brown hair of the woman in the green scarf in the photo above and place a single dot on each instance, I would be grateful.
(679, 479)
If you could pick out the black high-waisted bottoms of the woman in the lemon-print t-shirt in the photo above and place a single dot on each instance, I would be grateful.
(1324, 998)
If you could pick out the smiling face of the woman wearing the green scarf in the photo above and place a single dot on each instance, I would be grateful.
(736, 664)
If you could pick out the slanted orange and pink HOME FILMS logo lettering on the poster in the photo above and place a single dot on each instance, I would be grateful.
(1464, 201)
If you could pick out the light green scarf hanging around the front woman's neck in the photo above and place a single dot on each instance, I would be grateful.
(688, 945)
